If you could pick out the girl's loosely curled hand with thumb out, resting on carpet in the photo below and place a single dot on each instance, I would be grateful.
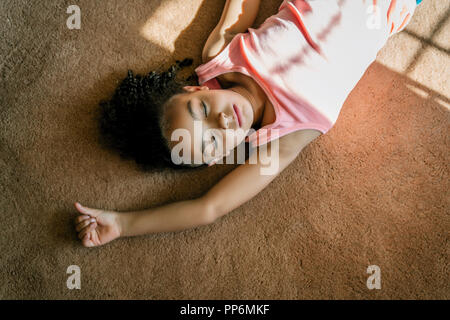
(96, 227)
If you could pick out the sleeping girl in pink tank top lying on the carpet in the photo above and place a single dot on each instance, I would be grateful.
(287, 80)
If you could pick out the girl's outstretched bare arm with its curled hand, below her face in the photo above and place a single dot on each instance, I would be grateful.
(97, 227)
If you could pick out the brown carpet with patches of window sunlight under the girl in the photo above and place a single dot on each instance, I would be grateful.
(374, 190)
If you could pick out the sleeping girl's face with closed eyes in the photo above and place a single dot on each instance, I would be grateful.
(225, 117)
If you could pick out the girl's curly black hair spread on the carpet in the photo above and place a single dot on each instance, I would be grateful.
(130, 121)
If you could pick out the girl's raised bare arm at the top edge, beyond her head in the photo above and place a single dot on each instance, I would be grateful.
(237, 16)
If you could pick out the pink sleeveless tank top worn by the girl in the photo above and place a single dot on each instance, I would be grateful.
(308, 57)
